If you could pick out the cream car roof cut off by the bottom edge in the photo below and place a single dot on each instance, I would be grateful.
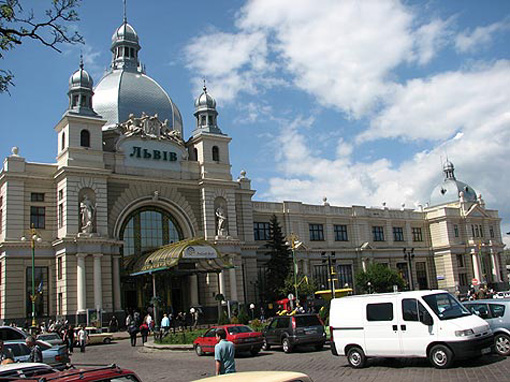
(257, 376)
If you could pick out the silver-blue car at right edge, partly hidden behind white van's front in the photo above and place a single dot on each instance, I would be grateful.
(497, 314)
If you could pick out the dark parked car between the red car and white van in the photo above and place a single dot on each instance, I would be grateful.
(291, 331)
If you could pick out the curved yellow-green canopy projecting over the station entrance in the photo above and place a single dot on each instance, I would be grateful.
(193, 255)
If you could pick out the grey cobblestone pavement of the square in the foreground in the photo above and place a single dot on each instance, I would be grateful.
(164, 365)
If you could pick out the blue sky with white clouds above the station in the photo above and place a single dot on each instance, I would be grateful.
(358, 101)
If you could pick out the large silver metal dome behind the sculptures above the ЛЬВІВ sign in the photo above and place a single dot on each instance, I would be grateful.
(122, 92)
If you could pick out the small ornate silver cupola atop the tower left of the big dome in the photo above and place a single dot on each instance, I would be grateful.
(80, 92)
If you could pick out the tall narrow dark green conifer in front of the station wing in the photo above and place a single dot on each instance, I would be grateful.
(279, 264)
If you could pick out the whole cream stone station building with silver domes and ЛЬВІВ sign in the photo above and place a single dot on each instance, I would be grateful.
(132, 210)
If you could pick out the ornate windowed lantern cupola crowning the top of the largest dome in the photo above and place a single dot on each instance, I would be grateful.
(125, 48)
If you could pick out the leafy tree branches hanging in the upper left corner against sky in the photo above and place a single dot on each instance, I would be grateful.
(17, 25)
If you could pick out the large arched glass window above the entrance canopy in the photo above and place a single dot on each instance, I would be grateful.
(149, 228)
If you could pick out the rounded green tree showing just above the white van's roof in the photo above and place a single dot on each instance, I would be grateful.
(380, 277)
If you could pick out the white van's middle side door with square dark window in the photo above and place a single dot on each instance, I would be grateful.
(381, 328)
